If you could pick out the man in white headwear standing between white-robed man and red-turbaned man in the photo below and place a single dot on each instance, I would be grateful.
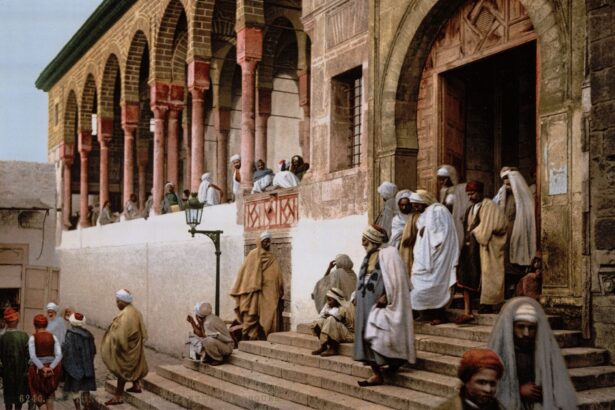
(453, 196)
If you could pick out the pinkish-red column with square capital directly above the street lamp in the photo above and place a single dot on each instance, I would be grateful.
(198, 82)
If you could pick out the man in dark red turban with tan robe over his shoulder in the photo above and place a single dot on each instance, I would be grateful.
(481, 264)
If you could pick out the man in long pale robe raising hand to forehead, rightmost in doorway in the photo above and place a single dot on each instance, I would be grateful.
(517, 202)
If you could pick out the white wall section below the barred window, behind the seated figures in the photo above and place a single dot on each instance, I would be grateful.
(317, 242)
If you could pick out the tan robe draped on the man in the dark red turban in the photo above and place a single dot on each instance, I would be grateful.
(491, 235)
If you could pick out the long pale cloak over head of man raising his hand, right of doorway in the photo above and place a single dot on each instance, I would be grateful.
(523, 238)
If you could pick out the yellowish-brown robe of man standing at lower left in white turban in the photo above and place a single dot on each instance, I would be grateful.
(122, 347)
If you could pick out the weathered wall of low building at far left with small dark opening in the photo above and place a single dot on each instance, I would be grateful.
(26, 185)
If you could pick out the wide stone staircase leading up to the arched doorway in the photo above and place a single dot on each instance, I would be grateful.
(280, 373)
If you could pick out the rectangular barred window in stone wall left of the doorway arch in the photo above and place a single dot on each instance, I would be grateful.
(346, 94)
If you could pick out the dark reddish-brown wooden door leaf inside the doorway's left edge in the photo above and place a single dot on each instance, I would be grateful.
(453, 122)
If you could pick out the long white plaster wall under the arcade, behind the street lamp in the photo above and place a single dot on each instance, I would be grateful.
(158, 261)
